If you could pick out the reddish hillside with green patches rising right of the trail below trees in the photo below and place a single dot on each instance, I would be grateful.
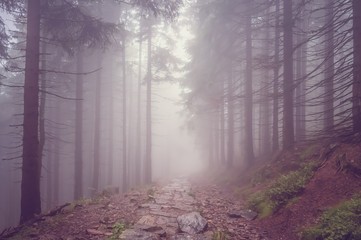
(296, 190)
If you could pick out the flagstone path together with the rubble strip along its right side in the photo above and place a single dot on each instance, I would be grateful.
(179, 211)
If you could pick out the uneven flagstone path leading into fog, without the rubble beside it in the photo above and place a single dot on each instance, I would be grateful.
(170, 210)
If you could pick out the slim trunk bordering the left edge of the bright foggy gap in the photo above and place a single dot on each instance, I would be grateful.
(148, 151)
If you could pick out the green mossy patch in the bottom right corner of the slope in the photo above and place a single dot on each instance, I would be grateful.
(340, 222)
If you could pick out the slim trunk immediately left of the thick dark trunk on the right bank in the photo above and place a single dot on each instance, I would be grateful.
(275, 135)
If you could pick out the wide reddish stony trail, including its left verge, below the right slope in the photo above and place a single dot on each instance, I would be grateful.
(176, 211)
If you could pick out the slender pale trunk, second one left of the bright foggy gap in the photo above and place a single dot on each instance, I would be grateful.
(138, 156)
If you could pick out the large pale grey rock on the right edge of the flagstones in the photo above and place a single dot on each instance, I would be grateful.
(192, 223)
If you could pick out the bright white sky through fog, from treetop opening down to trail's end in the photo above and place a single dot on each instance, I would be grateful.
(176, 153)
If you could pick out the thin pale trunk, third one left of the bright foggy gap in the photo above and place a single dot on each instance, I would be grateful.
(124, 94)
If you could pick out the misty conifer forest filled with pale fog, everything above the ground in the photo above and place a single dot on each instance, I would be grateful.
(133, 93)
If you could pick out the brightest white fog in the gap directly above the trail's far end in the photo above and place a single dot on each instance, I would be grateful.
(175, 149)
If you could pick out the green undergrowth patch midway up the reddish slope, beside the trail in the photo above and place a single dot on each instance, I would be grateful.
(283, 190)
